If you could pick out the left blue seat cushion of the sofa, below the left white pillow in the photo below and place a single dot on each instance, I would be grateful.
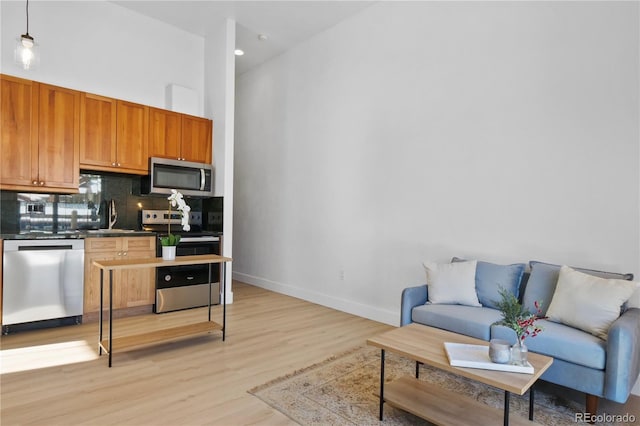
(471, 321)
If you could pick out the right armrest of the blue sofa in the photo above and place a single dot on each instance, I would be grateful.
(623, 356)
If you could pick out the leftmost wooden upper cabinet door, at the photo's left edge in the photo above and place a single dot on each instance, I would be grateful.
(18, 126)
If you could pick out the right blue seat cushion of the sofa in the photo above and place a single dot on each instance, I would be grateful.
(561, 342)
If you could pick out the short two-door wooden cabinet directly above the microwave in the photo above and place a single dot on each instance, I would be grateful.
(179, 136)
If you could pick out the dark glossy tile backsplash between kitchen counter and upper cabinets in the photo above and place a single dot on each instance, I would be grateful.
(24, 212)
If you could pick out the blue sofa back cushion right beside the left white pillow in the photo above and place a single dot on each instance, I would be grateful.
(490, 277)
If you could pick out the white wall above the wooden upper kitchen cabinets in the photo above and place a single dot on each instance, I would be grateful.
(99, 47)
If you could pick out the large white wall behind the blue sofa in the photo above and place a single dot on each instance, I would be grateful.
(420, 130)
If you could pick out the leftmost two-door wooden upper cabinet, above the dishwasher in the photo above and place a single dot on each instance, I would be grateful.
(40, 137)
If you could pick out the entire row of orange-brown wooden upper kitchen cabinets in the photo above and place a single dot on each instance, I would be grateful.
(48, 133)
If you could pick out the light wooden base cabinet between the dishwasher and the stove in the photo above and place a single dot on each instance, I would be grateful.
(136, 287)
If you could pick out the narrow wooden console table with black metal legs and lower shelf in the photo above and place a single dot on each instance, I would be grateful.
(121, 343)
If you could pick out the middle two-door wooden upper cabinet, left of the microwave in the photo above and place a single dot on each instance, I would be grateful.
(114, 135)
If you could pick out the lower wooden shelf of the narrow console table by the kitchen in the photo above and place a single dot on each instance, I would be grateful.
(142, 339)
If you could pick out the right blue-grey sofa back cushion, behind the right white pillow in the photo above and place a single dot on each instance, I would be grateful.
(543, 279)
